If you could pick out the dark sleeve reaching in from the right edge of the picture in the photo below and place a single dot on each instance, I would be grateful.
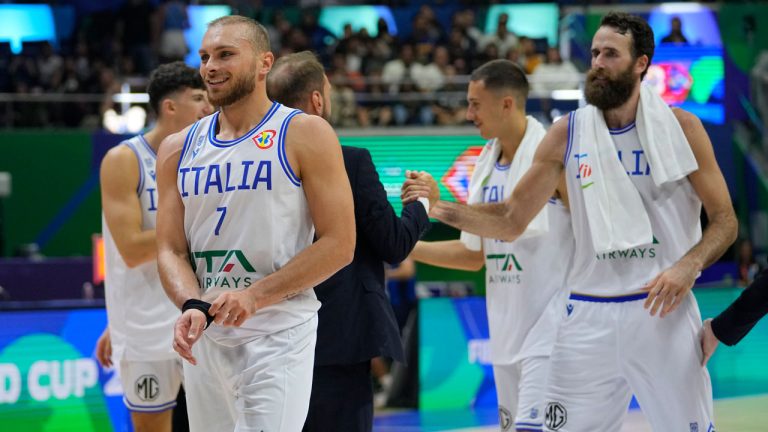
(738, 319)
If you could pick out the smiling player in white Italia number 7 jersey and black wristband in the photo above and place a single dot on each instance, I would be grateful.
(242, 194)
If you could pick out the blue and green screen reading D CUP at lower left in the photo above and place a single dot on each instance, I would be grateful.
(49, 378)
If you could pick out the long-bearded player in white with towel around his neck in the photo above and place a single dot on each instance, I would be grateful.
(607, 346)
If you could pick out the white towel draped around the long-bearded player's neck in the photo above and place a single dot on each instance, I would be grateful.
(615, 211)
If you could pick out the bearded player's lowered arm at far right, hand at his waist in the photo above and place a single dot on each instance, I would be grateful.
(668, 288)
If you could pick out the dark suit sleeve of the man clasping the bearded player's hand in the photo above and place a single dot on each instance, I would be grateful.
(392, 237)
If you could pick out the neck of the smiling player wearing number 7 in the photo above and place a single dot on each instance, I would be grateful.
(237, 119)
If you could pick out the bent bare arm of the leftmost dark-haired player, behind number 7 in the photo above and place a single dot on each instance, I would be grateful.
(122, 209)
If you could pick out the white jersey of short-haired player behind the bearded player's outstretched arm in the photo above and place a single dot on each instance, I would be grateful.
(522, 278)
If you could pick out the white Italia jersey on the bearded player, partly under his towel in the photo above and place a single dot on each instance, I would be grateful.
(674, 210)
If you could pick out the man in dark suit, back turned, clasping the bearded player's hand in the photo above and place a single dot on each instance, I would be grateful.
(356, 321)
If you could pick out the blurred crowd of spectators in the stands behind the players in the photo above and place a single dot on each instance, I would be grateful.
(418, 79)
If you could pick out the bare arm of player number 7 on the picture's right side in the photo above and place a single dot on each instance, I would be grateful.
(314, 151)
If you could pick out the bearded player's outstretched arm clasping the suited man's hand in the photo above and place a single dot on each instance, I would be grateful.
(508, 220)
